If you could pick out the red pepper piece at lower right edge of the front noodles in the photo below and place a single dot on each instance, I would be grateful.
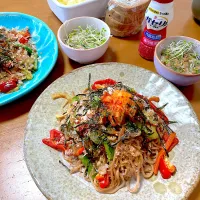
(166, 168)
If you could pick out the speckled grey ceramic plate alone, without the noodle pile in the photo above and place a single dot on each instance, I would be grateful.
(54, 180)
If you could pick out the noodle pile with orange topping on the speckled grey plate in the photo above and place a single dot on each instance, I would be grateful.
(112, 134)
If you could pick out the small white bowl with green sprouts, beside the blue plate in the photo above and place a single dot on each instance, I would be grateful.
(84, 39)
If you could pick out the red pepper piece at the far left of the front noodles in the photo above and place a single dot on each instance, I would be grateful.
(56, 140)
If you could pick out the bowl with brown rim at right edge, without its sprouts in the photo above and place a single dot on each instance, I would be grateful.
(175, 77)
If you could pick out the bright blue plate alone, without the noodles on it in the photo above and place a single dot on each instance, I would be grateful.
(46, 45)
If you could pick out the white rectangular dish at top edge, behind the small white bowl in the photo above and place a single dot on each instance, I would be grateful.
(92, 8)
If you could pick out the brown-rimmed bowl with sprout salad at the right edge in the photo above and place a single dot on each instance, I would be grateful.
(177, 58)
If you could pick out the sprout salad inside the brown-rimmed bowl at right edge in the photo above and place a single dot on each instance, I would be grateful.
(181, 57)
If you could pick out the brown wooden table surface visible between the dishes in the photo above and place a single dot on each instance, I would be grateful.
(15, 180)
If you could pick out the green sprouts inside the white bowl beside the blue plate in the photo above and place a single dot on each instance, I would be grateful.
(85, 38)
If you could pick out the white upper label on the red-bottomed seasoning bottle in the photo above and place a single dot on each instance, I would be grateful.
(159, 15)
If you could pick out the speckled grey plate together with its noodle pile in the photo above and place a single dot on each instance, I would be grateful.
(112, 136)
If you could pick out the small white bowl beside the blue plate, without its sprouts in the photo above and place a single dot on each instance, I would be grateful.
(83, 56)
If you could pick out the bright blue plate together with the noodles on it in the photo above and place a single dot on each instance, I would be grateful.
(24, 38)
